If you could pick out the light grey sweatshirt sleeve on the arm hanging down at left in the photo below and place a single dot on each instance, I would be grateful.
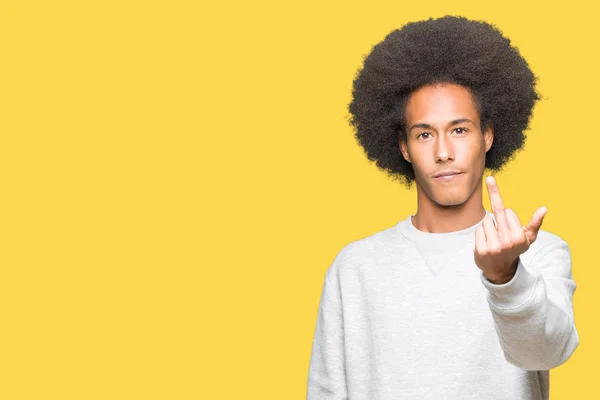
(327, 375)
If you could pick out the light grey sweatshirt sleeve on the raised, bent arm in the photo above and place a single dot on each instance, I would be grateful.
(533, 312)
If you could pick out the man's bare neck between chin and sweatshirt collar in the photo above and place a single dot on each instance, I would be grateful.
(434, 218)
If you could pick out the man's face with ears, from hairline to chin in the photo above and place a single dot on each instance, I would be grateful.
(443, 134)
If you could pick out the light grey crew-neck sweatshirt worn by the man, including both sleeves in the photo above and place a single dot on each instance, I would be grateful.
(407, 314)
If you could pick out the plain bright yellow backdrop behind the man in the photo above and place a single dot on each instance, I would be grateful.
(177, 177)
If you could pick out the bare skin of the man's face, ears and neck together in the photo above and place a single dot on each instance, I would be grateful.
(456, 204)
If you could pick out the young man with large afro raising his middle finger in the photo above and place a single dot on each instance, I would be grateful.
(453, 302)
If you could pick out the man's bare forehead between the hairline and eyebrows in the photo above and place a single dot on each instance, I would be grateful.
(438, 104)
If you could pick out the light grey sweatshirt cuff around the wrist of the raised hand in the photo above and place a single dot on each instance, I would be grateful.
(514, 293)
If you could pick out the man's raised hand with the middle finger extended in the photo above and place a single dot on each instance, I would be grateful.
(497, 248)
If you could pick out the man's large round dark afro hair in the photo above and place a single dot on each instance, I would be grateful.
(450, 49)
